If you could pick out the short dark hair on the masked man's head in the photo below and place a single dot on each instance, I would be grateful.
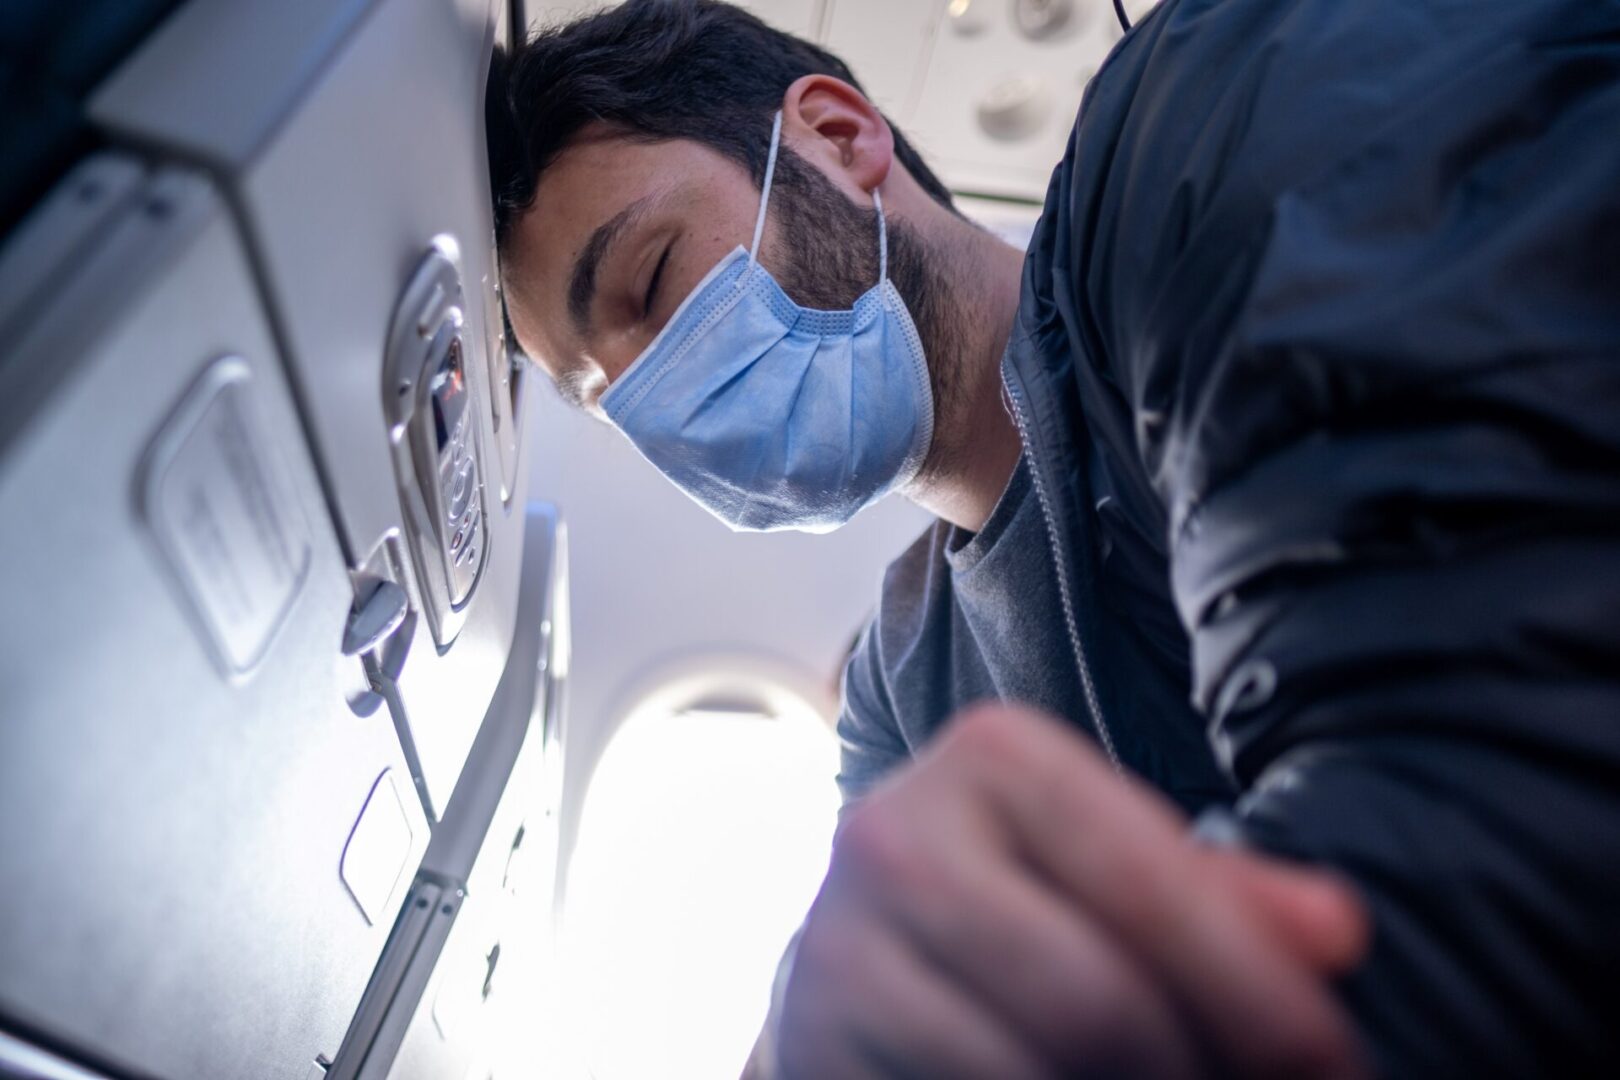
(696, 70)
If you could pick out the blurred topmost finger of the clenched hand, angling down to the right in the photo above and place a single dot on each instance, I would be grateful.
(1119, 854)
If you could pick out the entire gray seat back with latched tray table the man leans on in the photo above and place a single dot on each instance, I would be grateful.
(262, 467)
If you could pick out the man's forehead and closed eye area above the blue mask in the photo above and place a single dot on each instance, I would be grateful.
(620, 234)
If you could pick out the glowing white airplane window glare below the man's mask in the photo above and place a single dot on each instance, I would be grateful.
(702, 843)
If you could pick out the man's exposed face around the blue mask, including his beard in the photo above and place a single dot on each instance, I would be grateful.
(623, 231)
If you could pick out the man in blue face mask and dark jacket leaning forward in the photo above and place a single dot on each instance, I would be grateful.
(1302, 410)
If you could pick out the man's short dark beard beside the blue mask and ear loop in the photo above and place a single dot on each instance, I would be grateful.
(827, 258)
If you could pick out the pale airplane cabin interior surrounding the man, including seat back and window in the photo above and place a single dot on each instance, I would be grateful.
(367, 710)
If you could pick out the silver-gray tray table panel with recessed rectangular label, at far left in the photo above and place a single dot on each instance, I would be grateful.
(171, 835)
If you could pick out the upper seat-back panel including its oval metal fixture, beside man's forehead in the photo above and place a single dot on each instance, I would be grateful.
(351, 138)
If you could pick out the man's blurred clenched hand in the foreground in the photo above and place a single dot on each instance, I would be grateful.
(1010, 909)
